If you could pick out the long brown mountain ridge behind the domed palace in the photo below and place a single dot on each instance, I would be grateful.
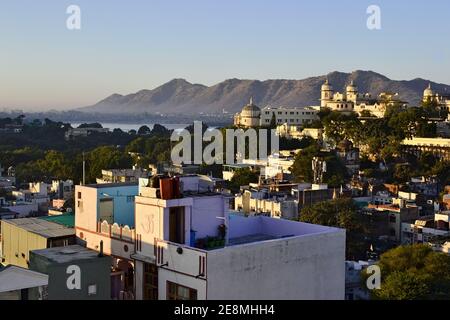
(180, 96)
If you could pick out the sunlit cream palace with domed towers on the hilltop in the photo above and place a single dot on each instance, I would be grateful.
(349, 101)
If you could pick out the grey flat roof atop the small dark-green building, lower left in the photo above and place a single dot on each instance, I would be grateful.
(67, 254)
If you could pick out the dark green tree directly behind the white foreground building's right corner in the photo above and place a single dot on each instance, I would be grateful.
(340, 213)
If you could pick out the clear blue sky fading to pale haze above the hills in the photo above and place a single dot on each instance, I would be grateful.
(125, 46)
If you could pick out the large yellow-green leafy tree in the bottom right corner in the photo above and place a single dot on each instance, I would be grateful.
(414, 272)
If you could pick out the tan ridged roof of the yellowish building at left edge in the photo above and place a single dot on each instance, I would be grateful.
(42, 227)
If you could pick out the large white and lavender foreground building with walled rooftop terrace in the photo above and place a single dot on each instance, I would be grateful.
(185, 245)
